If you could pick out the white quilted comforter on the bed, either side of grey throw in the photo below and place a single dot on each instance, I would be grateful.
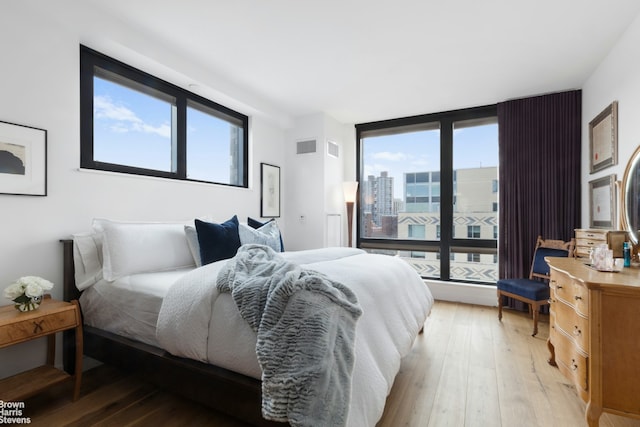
(198, 322)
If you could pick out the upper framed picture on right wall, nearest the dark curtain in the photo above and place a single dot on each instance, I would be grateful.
(603, 139)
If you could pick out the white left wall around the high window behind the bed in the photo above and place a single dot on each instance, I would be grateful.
(39, 87)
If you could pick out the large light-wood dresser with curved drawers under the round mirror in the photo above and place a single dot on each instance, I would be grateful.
(594, 335)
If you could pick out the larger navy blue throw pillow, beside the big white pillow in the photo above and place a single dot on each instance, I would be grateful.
(217, 241)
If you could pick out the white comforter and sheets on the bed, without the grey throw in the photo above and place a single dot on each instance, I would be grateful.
(394, 300)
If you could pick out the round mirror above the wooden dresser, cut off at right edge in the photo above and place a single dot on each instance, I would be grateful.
(630, 214)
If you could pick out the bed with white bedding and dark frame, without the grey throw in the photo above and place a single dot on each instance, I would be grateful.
(127, 305)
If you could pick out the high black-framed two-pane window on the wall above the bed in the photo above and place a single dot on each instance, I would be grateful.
(132, 122)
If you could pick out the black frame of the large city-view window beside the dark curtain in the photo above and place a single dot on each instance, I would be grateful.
(446, 245)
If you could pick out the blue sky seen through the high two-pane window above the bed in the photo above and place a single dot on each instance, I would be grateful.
(134, 128)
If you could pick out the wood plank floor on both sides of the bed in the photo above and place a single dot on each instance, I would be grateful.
(466, 369)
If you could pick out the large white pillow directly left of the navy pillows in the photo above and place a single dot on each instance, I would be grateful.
(131, 247)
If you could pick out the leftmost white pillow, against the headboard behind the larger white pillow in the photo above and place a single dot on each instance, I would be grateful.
(87, 259)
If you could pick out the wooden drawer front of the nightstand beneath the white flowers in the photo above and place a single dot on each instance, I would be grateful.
(34, 326)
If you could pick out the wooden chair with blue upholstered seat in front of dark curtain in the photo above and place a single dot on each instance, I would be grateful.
(534, 291)
